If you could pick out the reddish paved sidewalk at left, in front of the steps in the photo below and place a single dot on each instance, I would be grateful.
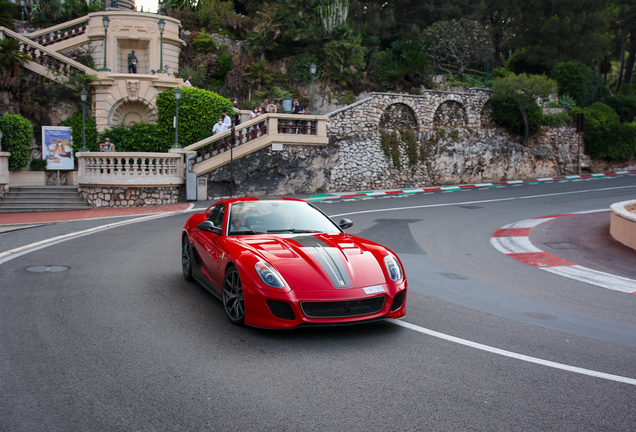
(96, 213)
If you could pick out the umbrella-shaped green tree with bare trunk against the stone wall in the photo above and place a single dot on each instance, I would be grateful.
(523, 90)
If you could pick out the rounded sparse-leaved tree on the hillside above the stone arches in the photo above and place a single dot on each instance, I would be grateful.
(458, 42)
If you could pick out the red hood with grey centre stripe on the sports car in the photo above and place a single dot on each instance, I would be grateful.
(324, 261)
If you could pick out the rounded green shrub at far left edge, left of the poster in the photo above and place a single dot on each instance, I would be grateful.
(17, 136)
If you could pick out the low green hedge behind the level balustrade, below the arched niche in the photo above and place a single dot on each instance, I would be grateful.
(140, 137)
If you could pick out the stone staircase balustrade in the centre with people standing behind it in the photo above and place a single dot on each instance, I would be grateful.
(258, 133)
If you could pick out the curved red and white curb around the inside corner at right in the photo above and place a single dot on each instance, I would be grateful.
(514, 241)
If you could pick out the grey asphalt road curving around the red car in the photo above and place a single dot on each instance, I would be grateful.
(120, 341)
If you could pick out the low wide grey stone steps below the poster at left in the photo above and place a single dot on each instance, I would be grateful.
(42, 198)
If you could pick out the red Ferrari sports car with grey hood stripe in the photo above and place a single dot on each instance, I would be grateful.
(282, 263)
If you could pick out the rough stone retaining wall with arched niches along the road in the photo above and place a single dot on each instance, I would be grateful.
(456, 143)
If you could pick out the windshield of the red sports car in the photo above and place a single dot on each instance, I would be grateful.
(260, 217)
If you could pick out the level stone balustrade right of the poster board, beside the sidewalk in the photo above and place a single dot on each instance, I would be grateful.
(130, 168)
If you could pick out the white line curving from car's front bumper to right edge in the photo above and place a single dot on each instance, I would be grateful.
(517, 356)
